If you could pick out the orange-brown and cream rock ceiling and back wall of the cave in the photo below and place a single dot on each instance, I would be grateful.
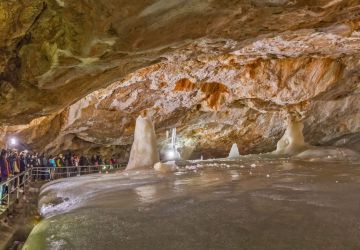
(75, 75)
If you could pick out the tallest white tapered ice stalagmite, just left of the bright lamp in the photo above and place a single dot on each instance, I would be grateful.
(144, 153)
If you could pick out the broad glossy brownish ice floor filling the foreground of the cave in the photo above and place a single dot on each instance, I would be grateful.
(220, 204)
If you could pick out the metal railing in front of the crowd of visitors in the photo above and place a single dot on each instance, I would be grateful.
(15, 183)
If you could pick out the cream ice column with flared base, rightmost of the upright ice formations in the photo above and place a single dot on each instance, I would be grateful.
(292, 141)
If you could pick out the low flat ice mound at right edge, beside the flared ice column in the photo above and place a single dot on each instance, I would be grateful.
(329, 154)
